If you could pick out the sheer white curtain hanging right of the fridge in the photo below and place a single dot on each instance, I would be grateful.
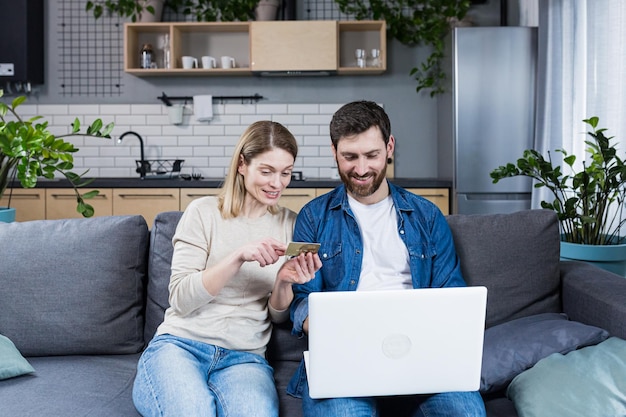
(581, 73)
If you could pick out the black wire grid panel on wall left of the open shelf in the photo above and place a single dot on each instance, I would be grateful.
(90, 51)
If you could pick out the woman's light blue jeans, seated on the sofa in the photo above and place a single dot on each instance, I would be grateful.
(182, 377)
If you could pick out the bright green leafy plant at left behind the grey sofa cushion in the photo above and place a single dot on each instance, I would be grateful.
(29, 151)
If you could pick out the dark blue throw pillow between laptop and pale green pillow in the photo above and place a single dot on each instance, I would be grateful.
(511, 348)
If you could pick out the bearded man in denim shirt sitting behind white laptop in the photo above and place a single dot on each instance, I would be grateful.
(374, 236)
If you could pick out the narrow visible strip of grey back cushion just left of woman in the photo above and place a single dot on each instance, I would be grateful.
(159, 269)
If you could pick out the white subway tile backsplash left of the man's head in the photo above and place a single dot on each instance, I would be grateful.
(206, 147)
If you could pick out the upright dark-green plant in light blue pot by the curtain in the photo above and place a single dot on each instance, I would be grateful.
(589, 202)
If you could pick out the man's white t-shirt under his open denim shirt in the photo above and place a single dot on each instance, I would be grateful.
(385, 257)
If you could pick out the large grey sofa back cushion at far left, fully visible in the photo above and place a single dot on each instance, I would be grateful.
(74, 286)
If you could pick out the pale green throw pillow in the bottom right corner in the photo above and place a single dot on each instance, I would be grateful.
(586, 382)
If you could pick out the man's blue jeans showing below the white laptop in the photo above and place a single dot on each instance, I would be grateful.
(450, 404)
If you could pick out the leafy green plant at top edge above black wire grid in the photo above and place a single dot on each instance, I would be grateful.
(142, 10)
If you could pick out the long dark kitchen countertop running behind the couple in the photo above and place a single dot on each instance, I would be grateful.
(217, 182)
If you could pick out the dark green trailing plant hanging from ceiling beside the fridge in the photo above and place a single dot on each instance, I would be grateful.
(415, 22)
